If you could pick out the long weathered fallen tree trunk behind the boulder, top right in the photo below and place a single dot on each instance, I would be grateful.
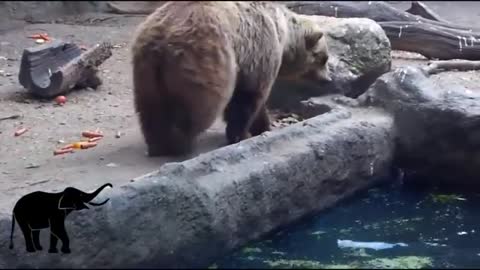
(407, 32)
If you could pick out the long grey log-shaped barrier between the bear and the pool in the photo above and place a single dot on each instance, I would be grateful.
(188, 214)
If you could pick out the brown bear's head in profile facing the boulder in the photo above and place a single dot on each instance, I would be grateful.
(306, 57)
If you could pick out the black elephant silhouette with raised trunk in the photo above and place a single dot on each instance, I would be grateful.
(39, 210)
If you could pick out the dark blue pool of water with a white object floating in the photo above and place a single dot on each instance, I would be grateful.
(431, 229)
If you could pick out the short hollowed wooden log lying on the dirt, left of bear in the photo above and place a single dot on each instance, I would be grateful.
(56, 68)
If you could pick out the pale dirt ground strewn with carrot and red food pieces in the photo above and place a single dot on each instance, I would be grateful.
(27, 162)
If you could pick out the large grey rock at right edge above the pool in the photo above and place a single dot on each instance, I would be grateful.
(438, 125)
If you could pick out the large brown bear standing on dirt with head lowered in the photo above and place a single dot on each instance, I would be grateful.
(193, 61)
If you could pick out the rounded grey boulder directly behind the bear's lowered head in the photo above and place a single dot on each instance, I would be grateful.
(359, 54)
